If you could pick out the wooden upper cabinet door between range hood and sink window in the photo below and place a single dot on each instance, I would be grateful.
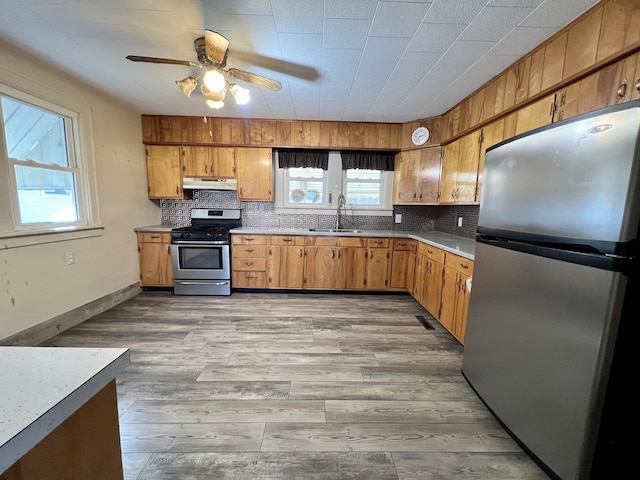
(254, 171)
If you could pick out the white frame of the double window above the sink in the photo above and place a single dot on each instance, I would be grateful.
(335, 184)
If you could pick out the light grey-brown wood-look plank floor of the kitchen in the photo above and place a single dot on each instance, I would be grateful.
(296, 386)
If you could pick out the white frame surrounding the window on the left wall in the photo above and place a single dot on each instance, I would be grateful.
(78, 133)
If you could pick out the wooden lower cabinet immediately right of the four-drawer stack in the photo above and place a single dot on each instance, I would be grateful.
(285, 262)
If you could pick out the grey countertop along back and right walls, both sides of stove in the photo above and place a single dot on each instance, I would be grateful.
(465, 247)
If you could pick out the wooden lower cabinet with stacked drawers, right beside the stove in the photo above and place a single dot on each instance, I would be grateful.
(248, 261)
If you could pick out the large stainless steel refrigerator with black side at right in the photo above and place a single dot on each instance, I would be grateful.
(551, 321)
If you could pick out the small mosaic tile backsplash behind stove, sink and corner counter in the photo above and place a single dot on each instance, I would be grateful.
(176, 213)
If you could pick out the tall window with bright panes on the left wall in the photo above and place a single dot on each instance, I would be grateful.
(41, 146)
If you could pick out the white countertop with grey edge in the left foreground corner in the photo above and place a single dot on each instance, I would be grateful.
(40, 387)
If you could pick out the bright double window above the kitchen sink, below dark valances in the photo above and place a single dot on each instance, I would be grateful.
(368, 191)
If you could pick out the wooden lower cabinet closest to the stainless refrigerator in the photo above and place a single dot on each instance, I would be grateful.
(456, 292)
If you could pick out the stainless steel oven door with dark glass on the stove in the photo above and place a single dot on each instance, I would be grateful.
(200, 261)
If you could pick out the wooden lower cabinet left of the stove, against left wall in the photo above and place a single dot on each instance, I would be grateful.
(154, 255)
